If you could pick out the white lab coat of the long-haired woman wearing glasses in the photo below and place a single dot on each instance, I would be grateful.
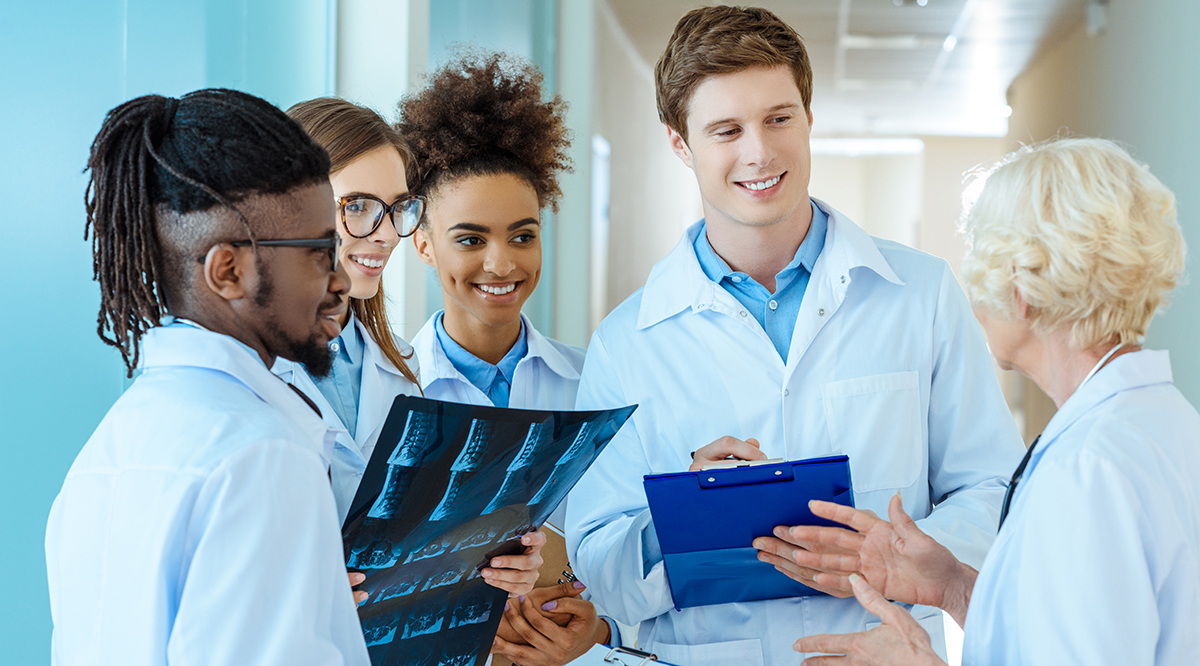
(382, 382)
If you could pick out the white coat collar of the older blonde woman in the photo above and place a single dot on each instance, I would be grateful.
(1123, 374)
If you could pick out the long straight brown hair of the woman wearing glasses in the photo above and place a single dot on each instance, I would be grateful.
(347, 133)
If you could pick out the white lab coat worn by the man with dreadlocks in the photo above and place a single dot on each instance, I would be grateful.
(197, 525)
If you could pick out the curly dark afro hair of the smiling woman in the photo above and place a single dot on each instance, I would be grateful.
(485, 116)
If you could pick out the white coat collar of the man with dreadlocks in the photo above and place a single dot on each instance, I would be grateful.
(187, 344)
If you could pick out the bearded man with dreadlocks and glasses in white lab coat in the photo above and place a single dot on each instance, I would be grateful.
(197, 526)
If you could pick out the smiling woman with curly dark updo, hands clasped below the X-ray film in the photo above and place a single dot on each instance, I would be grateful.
(493, 149)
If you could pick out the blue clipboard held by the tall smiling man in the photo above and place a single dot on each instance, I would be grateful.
(707, 521)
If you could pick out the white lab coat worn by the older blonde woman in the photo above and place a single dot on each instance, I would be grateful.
(1100, 559)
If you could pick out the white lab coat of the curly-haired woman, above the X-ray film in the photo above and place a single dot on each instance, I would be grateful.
(547, 379)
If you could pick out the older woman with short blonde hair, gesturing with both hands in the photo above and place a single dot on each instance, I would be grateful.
(1075, 247)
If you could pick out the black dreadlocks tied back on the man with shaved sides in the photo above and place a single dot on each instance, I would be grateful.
(160, 154)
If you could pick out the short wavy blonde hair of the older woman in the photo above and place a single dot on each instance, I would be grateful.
(1085, 235)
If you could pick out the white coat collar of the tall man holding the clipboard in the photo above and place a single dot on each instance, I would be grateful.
(679, 283)
